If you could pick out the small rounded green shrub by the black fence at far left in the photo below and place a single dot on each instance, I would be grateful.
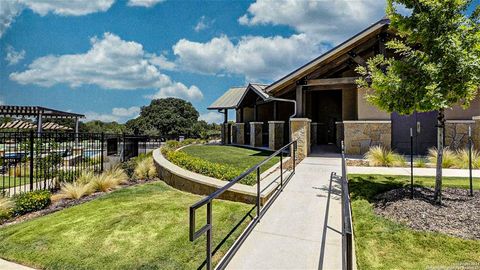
(31, 201)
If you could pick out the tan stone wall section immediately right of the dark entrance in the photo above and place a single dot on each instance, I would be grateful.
(360, 135)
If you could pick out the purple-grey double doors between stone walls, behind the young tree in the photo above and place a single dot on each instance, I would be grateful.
(424, 132)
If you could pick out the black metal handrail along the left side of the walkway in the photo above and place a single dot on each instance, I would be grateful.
(208, 227)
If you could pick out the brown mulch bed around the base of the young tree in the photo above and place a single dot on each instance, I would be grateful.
(459, 214)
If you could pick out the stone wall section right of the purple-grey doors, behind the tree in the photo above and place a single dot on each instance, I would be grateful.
(456, 133)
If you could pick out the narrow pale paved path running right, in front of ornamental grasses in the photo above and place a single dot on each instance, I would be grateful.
(416, 171)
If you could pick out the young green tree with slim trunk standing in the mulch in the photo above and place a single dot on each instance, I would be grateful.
(436, 63)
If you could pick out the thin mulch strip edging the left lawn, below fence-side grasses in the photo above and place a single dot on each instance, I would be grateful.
(66, 203)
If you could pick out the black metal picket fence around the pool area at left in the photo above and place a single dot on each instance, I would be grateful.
(31, 161)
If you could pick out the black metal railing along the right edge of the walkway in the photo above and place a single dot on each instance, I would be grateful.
(347, 229)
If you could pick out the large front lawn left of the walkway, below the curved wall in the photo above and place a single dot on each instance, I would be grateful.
(141, 227)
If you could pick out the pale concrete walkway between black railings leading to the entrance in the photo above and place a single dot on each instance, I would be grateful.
(289, 236)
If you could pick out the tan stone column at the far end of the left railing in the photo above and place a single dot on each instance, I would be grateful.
(300, 131)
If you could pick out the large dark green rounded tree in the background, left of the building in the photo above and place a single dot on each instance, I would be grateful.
(168, 117)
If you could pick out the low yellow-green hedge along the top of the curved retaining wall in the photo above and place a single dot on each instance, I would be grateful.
(215, 170)
